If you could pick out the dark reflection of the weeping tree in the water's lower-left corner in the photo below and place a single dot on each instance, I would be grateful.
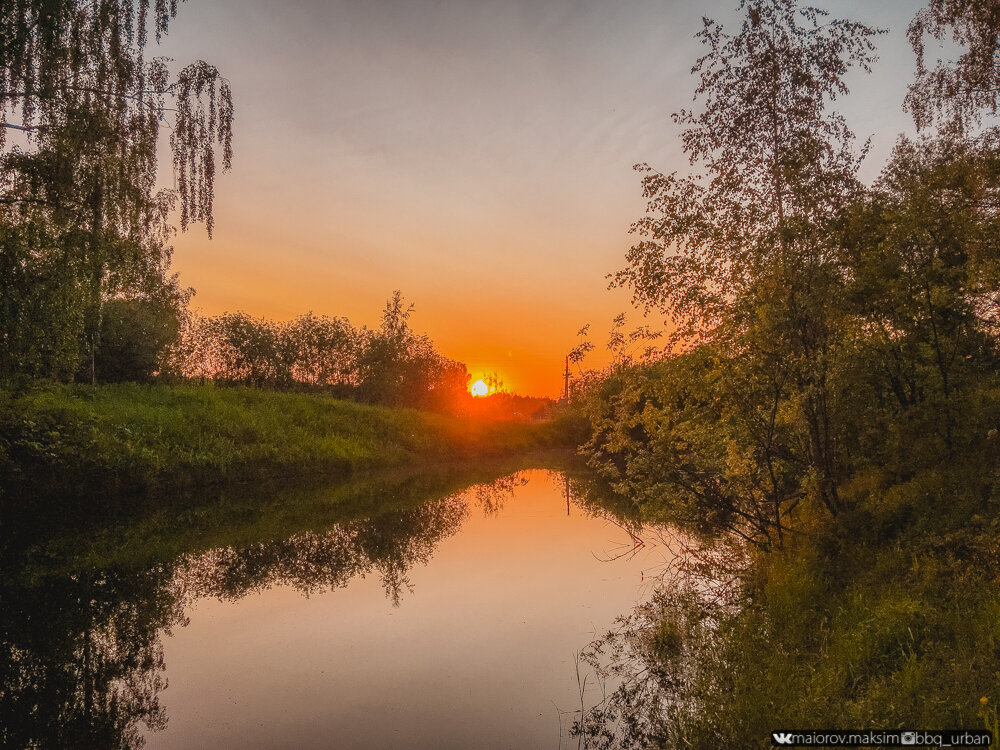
(81, 659)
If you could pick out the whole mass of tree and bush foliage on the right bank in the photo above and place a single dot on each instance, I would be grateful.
(814, 316)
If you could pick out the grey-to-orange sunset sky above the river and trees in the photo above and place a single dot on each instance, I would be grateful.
(476, 155)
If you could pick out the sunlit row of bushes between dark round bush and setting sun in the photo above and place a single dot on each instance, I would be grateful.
(389, 365)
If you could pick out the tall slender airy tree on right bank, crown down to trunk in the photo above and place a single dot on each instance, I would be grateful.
(744, 257)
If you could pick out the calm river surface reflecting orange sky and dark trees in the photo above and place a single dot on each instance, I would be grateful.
(447, 622)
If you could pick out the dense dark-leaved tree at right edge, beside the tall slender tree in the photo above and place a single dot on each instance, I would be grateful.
(920, 253)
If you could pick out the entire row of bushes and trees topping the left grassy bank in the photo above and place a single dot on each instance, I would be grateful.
(150, 335)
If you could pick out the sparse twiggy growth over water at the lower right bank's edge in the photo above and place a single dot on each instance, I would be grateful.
(650, 665)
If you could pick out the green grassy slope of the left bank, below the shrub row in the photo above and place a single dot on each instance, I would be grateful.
(143, 438)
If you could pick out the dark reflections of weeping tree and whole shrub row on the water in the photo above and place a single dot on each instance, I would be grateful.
(82, 652)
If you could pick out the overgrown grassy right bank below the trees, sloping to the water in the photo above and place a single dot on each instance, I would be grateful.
(887, 616)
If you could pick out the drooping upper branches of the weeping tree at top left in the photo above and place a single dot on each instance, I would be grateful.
(74, 78)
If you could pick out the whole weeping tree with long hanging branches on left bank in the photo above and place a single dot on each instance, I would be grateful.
(87, 107)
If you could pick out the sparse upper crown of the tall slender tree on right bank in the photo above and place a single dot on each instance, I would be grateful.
(774, 161)
